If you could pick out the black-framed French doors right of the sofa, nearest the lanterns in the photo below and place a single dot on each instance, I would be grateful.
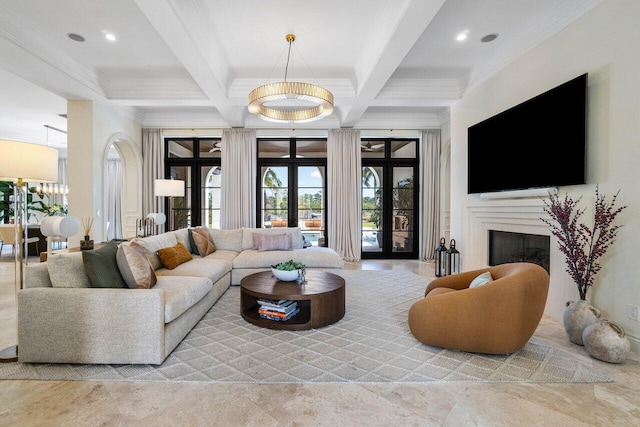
(389, 198)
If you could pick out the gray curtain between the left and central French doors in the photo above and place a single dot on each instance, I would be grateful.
(239, 152)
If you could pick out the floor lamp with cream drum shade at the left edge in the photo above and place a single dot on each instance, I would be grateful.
(21, 163)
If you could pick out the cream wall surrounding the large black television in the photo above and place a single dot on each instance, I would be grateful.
(603, 43)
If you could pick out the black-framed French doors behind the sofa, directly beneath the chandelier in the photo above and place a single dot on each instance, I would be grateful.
(292, 186)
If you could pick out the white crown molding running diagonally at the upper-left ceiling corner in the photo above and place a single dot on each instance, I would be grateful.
(28, 38)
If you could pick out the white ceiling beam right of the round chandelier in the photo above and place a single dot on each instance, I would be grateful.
(393, 34)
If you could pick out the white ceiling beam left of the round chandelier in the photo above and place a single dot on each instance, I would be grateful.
(197, 47)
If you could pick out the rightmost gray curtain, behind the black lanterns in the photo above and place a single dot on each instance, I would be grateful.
(430, 194)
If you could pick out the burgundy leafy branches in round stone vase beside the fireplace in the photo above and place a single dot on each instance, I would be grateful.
(582, 247)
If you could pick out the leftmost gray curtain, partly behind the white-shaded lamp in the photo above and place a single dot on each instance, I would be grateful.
(152, 169)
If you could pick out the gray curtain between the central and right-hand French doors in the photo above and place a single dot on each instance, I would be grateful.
(344, 165)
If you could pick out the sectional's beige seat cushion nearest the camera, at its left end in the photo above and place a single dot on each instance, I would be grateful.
(181, 293)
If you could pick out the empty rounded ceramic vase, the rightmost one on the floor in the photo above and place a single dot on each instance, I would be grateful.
(605, 340)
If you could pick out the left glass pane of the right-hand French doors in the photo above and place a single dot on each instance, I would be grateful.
(372, 215)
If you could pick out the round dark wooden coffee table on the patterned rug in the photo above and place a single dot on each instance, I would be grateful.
(320, 300)
